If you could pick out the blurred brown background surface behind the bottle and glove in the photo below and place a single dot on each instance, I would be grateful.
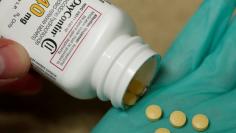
(53, 111)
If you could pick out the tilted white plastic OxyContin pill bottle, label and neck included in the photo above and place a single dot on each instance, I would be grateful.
(89, 48)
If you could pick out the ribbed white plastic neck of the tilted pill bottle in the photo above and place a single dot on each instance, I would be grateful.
(117, 67)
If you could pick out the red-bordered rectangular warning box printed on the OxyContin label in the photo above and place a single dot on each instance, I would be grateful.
(75, 37)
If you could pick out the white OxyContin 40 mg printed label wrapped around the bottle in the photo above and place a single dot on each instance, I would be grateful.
(50, 30)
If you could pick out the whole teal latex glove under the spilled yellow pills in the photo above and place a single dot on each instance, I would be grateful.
(198, 75)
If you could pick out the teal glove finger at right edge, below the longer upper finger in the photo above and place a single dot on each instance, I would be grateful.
(217, 72)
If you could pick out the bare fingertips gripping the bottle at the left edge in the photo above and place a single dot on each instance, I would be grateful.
(14, 69)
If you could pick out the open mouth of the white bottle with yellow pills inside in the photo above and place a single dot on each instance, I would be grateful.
(140, 83)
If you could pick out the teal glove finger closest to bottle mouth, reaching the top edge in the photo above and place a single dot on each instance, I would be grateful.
(198, 39)
